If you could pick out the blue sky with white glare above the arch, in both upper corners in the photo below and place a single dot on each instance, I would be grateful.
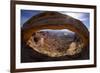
(84, 17)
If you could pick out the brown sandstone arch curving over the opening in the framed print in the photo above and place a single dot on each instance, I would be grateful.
(54, 20)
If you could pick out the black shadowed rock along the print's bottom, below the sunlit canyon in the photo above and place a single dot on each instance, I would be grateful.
(30, 55)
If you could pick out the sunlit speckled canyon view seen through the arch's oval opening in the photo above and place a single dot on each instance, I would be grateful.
(56, 43)
